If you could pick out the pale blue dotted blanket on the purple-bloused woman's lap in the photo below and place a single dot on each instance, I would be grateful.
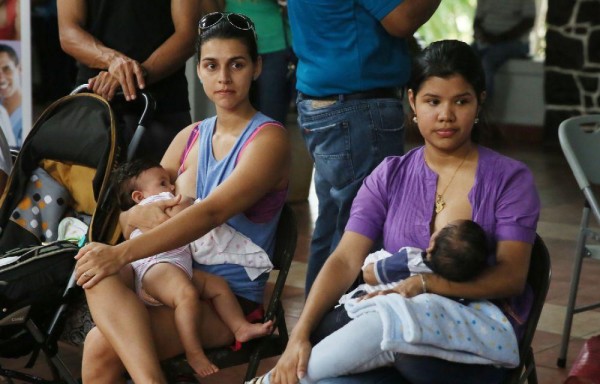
(433, 325)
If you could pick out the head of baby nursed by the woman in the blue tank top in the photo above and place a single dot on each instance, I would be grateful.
(138, 179)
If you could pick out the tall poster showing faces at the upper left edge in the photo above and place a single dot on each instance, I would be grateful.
(15, 71)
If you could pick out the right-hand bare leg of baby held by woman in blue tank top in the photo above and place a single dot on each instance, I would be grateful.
(217, 290)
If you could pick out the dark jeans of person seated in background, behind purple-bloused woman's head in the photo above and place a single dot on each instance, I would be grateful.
(493, 56)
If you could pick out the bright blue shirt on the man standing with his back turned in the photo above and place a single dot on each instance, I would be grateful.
(343, 48)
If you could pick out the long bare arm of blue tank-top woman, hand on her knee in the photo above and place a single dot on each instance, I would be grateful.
(258, 171)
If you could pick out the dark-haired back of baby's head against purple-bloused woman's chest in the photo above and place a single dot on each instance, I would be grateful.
(458, 251)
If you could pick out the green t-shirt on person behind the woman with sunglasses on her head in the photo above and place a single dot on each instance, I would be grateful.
(271, 28)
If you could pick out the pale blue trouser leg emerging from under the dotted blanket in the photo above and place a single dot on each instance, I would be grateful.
(354, 348)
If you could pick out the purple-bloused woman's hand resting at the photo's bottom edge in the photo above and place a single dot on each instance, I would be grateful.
(293, 363)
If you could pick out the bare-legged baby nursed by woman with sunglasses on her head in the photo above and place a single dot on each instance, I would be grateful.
(165, 279)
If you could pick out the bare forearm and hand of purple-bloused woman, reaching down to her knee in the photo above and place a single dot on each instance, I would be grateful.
(334, 279)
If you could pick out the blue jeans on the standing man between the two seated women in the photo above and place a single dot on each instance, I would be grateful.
(347, 140)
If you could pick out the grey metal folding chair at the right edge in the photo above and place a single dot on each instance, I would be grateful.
(580, 141)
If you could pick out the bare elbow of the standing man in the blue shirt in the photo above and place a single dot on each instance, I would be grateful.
(408, 16)
